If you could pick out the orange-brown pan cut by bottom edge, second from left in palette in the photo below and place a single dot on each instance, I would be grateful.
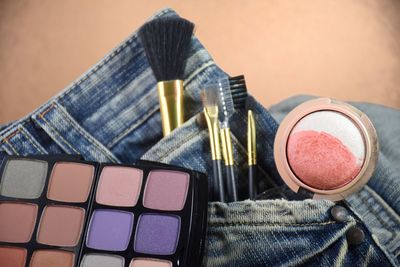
(52, 258)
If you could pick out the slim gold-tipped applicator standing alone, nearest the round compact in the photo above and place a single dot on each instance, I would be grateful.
(251, 153)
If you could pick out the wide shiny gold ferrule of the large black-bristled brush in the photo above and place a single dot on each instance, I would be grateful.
(171, 104)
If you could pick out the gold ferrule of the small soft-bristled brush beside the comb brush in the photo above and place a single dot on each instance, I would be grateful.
(211, 114)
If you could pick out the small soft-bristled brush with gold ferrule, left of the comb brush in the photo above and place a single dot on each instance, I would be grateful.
(210, 103)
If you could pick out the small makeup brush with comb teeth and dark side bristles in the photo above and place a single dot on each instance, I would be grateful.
(232, 95)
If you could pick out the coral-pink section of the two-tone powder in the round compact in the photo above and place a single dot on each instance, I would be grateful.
(321, 160)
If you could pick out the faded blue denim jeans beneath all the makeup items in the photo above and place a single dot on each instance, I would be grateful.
(111, 114)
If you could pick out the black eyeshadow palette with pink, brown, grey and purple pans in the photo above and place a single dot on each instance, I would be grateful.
(63, 211)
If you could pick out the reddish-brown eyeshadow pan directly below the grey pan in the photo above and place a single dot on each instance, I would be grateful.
(17, 221)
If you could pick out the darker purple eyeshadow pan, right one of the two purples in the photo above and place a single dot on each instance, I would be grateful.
(157, 234)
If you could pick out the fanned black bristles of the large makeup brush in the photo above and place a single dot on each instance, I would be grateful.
(166, 42)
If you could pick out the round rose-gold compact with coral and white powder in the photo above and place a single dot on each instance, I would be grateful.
(327, 148)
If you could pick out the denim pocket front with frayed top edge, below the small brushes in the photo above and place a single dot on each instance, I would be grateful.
(282, 233)
